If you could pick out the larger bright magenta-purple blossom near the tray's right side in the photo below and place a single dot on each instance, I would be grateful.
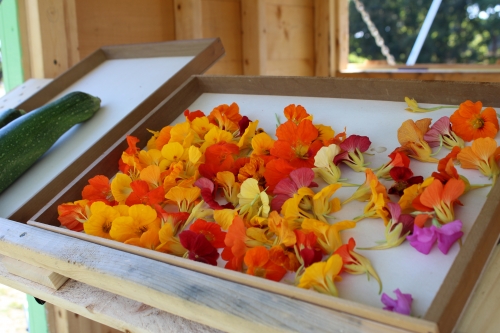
(424, 238)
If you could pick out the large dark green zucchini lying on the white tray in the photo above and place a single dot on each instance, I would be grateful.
(25, 139)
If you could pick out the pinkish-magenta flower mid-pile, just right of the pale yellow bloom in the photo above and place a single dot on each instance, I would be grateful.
(287, 187)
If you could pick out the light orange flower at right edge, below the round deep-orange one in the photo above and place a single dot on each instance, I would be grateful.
(482, 155)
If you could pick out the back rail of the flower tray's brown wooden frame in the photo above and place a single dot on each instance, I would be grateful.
(434, 92)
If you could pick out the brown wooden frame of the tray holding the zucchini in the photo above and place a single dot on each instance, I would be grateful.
(206, 52)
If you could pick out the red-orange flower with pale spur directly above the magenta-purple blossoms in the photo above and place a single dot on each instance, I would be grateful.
(440, 199)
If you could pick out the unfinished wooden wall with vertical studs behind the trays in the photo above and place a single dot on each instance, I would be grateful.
(261, 37)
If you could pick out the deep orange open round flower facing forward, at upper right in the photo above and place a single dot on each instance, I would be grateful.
(470, 123)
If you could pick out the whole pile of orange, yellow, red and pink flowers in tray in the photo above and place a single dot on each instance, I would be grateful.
(219, 190)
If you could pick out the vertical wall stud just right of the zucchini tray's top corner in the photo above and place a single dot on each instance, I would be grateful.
(254, 44)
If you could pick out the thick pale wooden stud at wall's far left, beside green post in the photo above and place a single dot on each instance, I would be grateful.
(47, 37)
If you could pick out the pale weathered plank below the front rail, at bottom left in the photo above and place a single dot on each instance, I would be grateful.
(112, 310)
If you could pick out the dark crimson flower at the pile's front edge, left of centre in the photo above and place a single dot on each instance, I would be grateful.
(199, 248)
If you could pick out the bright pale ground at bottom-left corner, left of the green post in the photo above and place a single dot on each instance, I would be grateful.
(12, 314)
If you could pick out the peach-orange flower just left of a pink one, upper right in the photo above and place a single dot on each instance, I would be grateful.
(411, 137)
